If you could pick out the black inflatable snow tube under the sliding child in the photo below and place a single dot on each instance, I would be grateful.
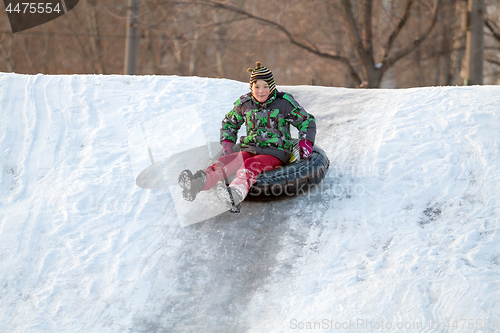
(291, 179)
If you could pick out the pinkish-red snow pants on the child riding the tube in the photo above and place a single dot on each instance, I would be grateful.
(246, 173)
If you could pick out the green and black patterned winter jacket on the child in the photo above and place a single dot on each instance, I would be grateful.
(268, 124)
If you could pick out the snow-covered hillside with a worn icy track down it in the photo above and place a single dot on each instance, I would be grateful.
(404, 231)
